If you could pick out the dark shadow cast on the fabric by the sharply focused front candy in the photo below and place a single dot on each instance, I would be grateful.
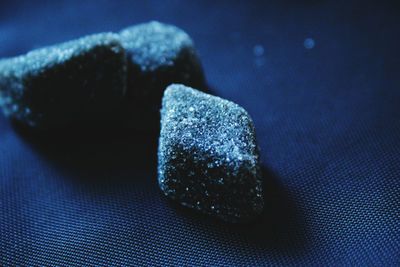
(280, 227)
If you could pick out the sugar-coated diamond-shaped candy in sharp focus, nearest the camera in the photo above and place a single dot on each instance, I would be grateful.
(208, 158)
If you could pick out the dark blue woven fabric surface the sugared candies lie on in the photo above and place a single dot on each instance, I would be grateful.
(328, 125)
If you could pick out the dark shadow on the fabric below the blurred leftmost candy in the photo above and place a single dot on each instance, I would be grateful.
(101, 156)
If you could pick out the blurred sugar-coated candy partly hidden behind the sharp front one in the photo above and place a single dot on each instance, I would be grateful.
(158, 55)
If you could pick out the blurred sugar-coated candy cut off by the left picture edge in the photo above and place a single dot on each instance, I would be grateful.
(80, 81)
